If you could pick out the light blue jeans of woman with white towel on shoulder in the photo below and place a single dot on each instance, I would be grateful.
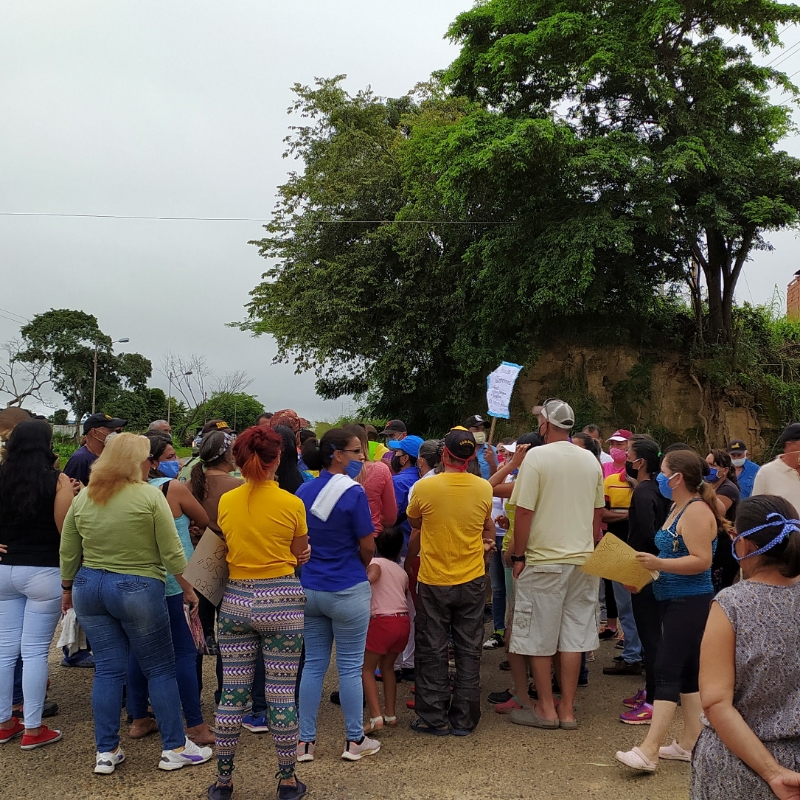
(343, 616)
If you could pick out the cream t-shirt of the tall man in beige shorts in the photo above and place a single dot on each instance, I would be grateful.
(563, 485)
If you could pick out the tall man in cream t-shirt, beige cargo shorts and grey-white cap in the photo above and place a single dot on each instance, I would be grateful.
(559, 501)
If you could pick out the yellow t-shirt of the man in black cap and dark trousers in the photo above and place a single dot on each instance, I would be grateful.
(453, 507)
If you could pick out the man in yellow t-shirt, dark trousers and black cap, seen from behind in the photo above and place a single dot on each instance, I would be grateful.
(452, 520)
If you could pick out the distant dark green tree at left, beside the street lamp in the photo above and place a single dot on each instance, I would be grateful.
(66, 340)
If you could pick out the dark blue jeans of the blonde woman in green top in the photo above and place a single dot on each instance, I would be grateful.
(121, 613)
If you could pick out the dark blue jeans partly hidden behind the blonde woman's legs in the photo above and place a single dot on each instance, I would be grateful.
(185, 669)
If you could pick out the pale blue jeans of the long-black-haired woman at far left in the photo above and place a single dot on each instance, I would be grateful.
(30, 605)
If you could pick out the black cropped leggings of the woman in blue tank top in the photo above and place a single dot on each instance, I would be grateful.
(683, 622)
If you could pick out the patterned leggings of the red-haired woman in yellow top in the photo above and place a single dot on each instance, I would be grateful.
(268, 611)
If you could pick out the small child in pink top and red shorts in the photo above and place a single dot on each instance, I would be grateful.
(389, 626)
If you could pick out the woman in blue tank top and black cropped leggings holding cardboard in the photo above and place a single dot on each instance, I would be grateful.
(683, 594)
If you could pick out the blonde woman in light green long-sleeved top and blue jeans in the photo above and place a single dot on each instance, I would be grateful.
(118, 543)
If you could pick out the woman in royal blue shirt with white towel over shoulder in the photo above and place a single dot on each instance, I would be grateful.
(337, 590)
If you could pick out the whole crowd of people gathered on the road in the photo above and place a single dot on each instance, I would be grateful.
(381, 543)
